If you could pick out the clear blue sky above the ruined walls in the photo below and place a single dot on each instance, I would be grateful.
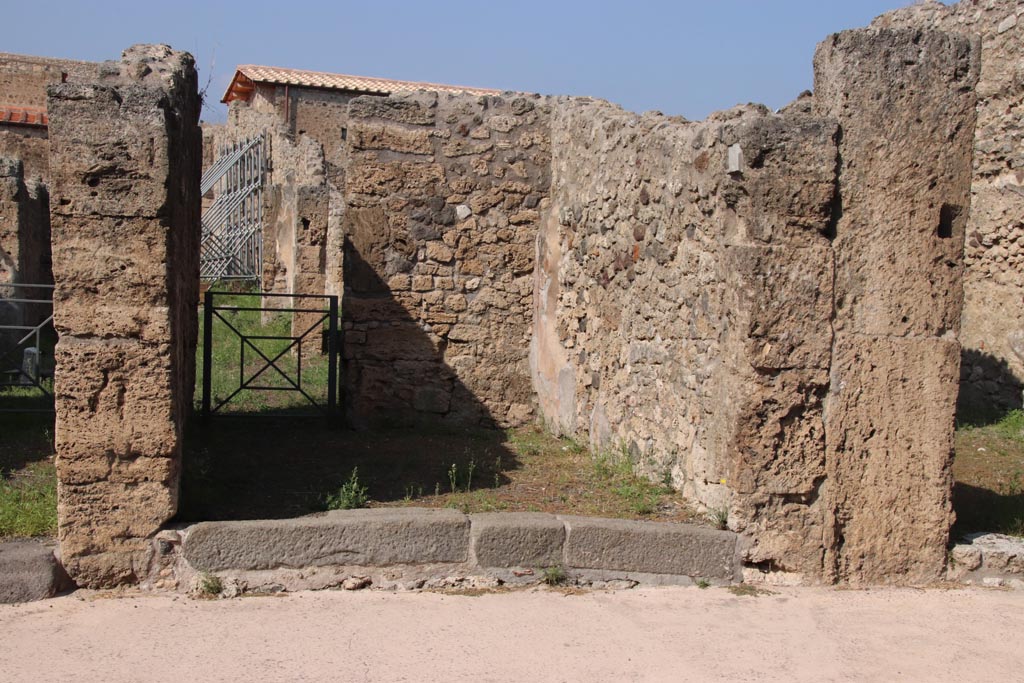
(686, 58)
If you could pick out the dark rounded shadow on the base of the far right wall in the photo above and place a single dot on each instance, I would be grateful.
(989, 390)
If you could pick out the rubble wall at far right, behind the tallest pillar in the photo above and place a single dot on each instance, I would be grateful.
(994, 287)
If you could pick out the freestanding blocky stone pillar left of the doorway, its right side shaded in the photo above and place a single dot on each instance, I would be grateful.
(125, 160)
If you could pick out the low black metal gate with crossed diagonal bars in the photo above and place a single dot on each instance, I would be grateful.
(270, 360)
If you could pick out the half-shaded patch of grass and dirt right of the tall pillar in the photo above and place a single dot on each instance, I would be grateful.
(990, 473)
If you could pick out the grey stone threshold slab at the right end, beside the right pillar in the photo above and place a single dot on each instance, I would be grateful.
(651, 547)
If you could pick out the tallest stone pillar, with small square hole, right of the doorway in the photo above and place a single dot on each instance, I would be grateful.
(906, 105)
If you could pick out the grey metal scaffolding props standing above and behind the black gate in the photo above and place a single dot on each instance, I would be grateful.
(233, 226)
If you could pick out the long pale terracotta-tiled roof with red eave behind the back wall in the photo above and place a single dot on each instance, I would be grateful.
(246, 75)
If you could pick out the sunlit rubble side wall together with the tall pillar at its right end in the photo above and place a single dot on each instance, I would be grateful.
(723, 303)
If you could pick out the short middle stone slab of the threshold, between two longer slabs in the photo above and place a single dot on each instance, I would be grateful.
(518, 540)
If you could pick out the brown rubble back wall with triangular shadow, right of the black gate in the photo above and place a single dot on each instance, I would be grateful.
(444, 195)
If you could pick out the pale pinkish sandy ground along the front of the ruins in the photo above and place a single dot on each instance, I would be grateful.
(669, 634)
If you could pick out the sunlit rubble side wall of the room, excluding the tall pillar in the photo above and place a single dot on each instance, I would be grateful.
(682, 313)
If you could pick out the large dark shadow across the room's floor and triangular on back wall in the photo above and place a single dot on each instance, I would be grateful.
(424, 421)
